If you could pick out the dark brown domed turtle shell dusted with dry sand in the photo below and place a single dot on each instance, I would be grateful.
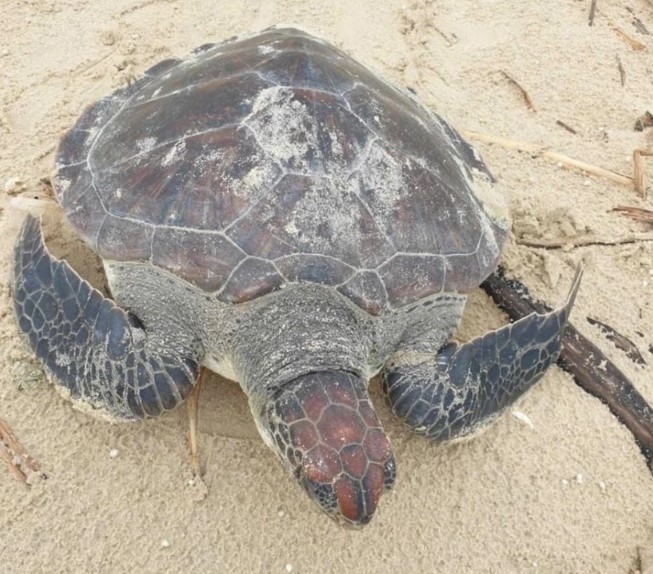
(277, 159)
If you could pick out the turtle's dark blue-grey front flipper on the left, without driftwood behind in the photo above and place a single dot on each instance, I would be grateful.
(95, 350)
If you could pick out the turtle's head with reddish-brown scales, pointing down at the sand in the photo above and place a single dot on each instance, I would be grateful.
(325, 430)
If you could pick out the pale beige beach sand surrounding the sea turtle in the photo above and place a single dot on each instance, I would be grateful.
(556, 485)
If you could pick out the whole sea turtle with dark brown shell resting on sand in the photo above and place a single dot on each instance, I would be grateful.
(274, 211)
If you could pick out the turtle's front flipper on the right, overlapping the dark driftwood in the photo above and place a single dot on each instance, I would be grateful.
(464, 387)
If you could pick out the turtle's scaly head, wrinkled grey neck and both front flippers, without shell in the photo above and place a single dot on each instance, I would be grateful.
(313, 410)
